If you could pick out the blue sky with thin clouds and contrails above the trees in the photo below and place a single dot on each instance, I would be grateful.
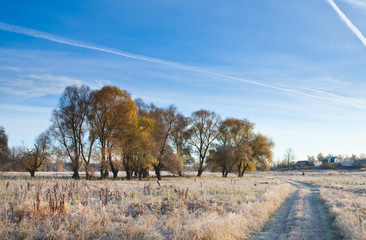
(295, 68)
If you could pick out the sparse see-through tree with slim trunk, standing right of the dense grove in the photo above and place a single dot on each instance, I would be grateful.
(203, 132)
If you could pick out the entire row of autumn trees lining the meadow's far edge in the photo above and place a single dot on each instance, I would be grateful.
(105, 127)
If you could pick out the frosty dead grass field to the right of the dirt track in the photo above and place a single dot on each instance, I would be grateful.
(344, 193)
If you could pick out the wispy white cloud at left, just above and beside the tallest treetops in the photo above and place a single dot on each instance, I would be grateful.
(37, 85)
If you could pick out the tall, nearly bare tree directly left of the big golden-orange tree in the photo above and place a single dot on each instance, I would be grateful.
(69, 126)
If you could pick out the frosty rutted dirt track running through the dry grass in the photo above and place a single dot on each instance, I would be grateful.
(302, 216)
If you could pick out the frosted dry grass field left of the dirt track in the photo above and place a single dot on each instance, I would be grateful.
(176, 208)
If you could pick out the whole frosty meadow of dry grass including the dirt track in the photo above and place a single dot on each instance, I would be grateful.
(274, 205)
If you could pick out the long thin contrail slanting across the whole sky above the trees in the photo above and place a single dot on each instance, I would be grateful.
(332, 98)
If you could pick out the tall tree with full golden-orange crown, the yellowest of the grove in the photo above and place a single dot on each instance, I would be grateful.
(113, 111)
